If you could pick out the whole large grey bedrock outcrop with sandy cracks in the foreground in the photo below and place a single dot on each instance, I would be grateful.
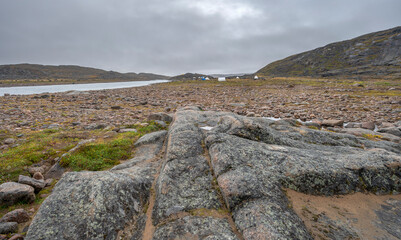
(218, 175)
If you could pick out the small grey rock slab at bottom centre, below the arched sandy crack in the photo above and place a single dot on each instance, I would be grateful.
(191, 227)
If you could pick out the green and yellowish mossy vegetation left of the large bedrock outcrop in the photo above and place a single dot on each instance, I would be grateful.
(47, 145)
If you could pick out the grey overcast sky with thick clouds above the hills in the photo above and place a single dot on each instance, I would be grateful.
(177, 36)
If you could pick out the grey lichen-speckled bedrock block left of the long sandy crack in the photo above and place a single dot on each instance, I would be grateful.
(94, 205)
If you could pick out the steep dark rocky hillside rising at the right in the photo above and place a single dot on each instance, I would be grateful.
(372, 55)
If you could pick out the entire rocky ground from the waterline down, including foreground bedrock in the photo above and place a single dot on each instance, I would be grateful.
(250, 165)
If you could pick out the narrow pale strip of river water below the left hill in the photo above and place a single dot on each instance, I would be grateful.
(74, 87)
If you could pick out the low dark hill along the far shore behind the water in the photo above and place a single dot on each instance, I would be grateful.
(35, 71)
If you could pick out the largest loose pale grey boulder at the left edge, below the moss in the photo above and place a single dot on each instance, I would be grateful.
(12, 193)
